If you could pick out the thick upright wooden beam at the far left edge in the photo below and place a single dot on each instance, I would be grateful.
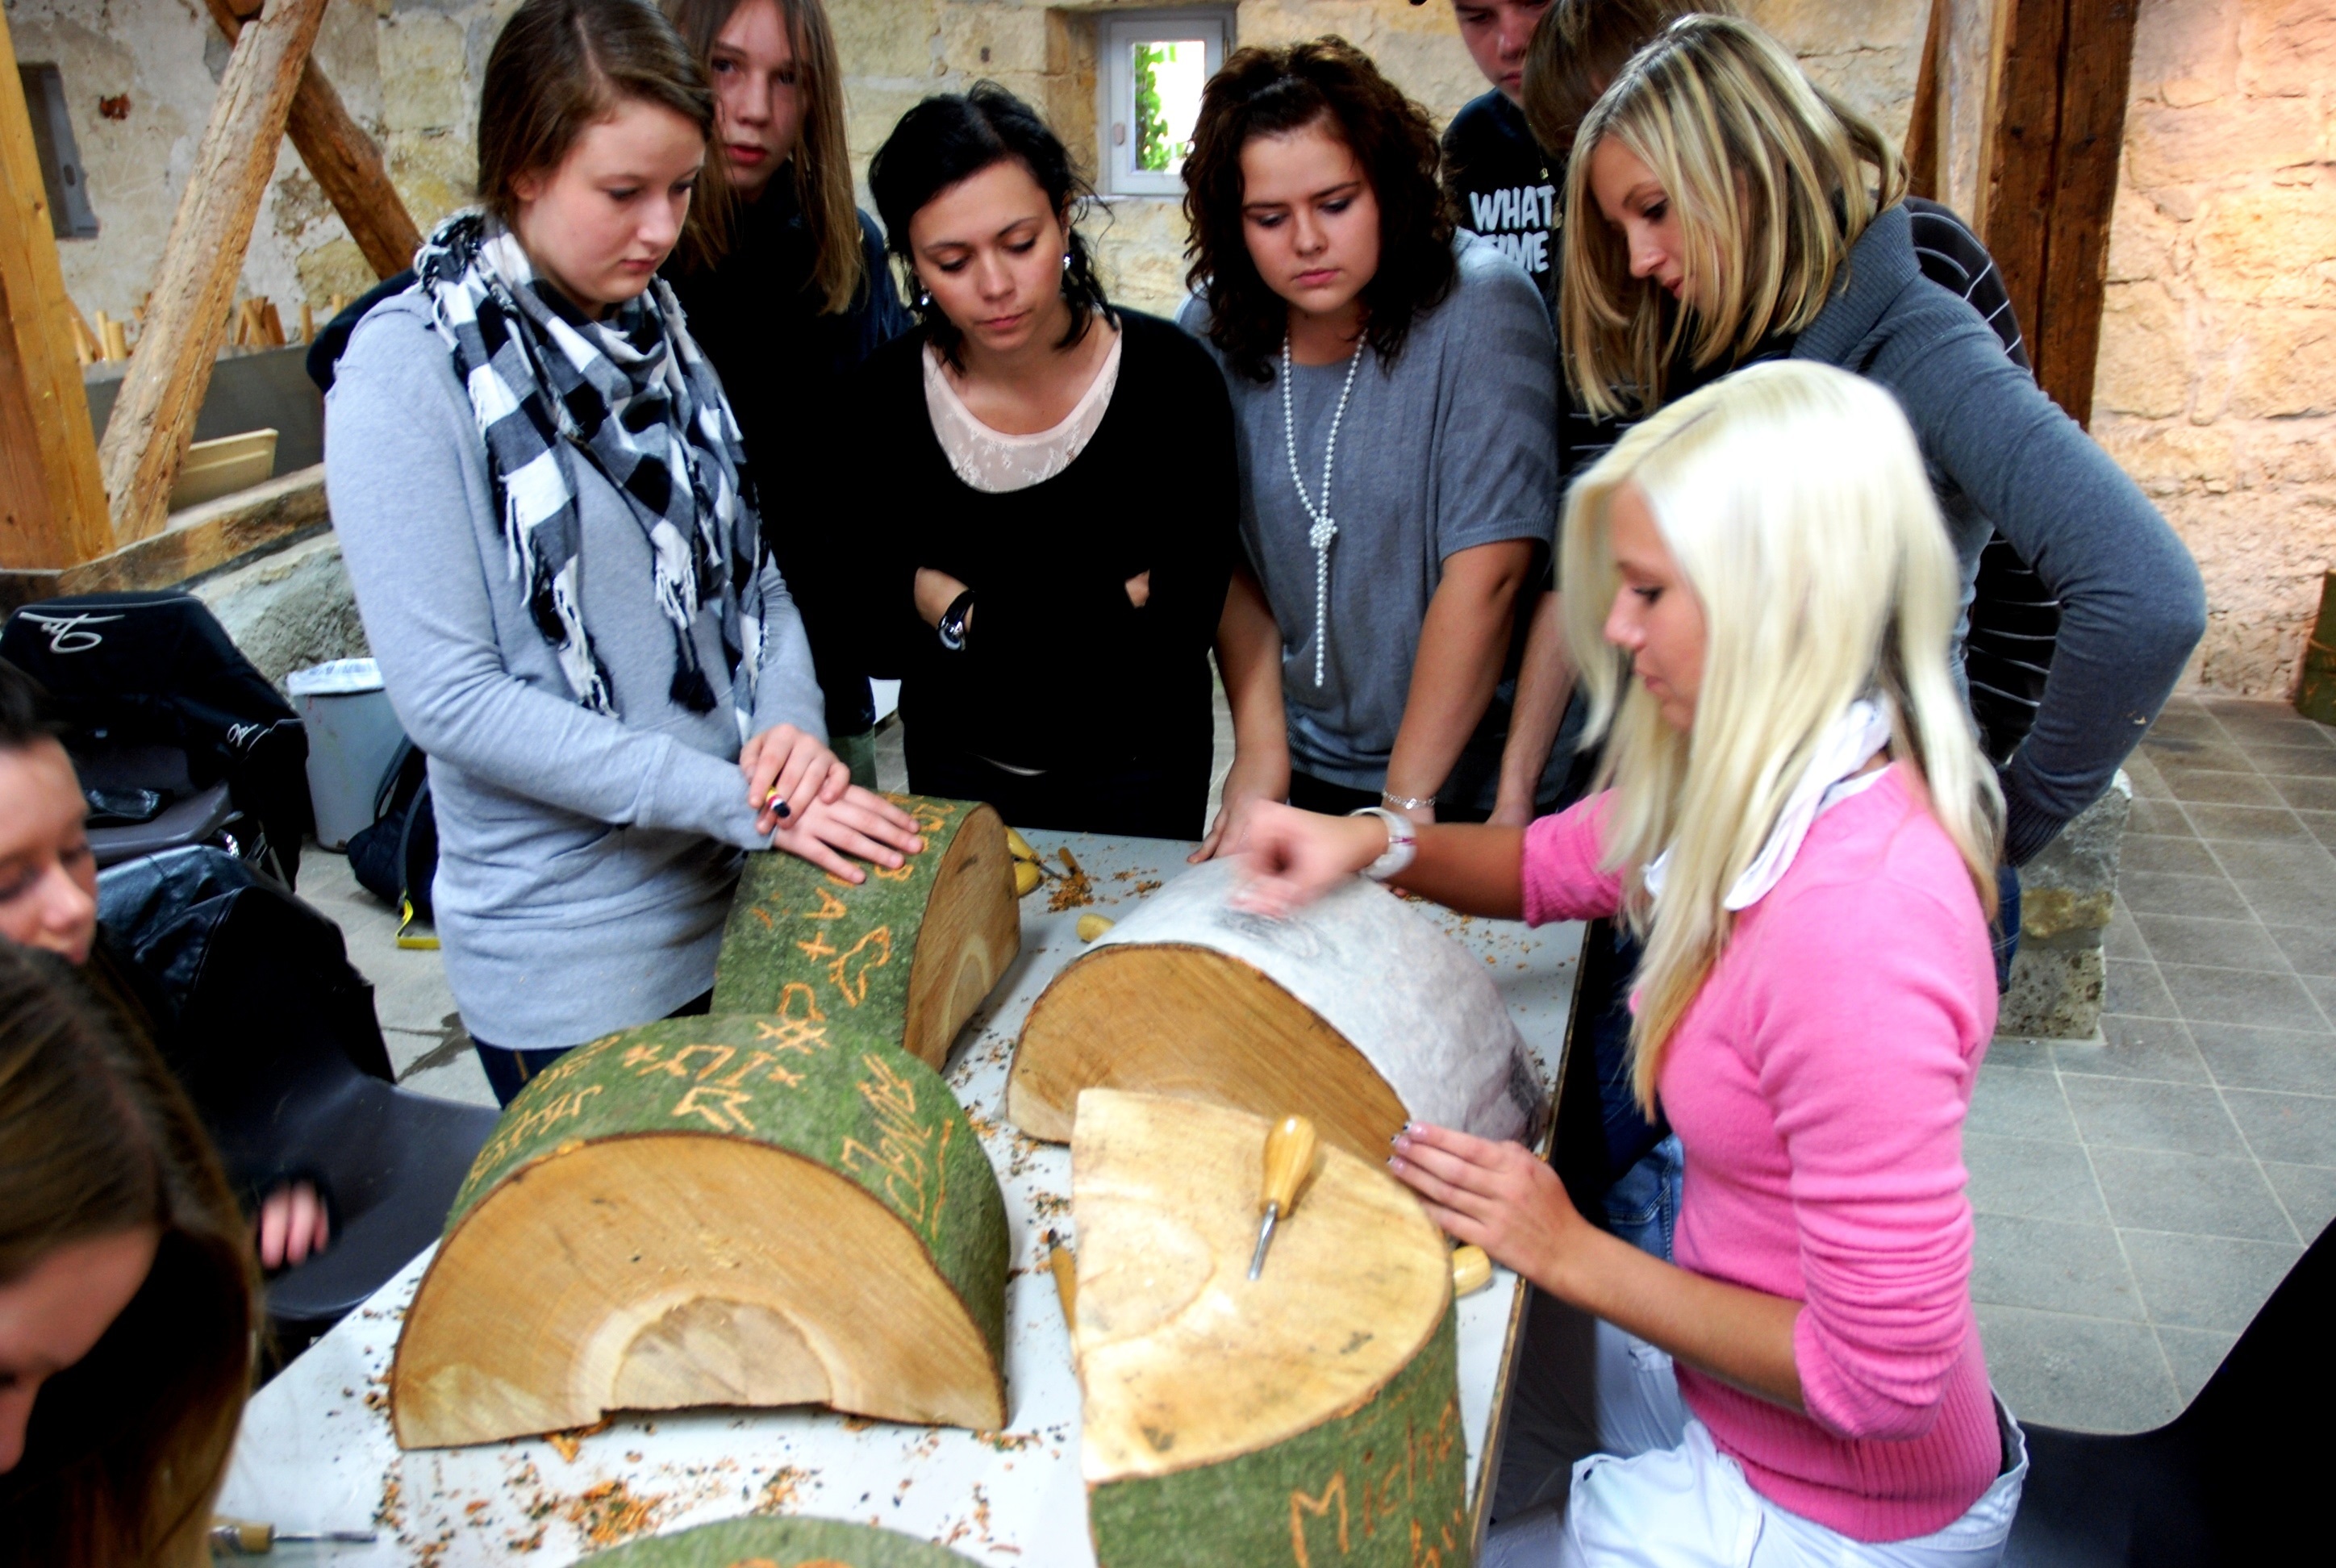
(53, 506)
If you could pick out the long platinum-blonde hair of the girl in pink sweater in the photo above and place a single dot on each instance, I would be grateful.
(1798, 511)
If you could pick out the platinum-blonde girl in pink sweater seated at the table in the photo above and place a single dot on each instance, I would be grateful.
(1800, 824)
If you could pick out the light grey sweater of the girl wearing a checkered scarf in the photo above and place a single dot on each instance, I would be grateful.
(585, 861)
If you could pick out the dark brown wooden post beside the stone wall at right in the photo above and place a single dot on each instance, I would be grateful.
(2099, 64)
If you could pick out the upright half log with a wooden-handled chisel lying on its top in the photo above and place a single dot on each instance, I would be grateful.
(1307, 1417)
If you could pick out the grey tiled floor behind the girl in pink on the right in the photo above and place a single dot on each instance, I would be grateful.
(2139, 1198)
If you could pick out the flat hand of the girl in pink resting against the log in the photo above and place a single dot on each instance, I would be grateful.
(1494, 1195)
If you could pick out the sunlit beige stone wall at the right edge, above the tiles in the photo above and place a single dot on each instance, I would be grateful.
(2218, 359)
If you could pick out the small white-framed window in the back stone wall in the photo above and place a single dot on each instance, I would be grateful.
(1148, 92)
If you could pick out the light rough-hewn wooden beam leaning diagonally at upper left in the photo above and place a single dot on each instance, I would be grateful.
(186, 319)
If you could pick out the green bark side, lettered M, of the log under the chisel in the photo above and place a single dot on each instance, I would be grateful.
(1377, 1490)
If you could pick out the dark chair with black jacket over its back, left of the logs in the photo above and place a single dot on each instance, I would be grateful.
(277, 1041)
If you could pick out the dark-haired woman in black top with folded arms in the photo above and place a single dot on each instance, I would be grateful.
(1066, 483)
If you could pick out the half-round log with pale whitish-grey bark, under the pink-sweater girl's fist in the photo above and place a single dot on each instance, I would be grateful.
(1354, 1011)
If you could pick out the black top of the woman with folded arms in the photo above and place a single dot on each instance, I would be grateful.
(1059, 667)
